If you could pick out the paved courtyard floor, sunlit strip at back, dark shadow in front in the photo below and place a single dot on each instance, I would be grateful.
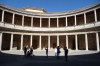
(75, 58)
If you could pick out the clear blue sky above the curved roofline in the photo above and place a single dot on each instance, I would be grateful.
(50, 5)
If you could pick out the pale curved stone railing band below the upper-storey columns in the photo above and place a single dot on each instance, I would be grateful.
(28, 28)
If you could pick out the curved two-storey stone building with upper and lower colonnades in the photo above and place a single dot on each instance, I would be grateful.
(77, 30)
